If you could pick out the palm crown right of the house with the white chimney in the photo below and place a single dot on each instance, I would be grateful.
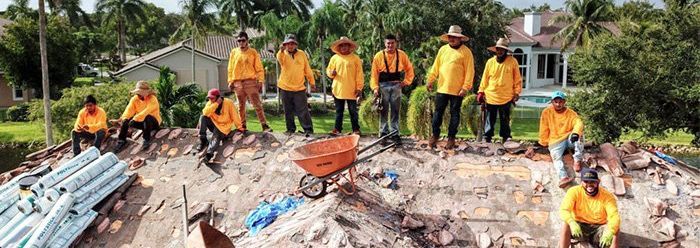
(583, 22)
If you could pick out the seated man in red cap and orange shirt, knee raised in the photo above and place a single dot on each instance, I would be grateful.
(218, 116)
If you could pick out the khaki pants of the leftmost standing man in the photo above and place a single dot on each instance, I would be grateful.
(248, 90)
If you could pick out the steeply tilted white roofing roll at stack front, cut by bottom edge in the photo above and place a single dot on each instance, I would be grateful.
(51, 221)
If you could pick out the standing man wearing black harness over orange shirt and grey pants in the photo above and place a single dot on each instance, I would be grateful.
(391, 71)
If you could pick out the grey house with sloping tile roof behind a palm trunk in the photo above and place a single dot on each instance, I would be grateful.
(211, 62)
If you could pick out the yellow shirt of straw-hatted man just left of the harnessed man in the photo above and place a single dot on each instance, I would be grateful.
(349, 78)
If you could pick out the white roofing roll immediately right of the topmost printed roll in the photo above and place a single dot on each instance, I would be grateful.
(87, 173)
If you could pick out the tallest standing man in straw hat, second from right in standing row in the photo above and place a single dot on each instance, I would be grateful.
(454, 69)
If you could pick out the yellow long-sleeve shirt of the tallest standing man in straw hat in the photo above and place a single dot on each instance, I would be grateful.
(454, 69)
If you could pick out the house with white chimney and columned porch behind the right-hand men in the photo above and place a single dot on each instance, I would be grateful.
(542, 62)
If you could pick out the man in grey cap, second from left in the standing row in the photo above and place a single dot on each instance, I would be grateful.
(295, 66)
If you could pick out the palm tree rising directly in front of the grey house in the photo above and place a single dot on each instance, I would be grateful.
(198, 21)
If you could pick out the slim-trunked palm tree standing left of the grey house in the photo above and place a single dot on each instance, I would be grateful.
(122, 11)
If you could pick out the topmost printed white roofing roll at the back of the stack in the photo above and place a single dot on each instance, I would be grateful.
(65, 170)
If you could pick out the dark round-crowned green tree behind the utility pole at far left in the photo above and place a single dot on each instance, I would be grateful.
(20, 55)
